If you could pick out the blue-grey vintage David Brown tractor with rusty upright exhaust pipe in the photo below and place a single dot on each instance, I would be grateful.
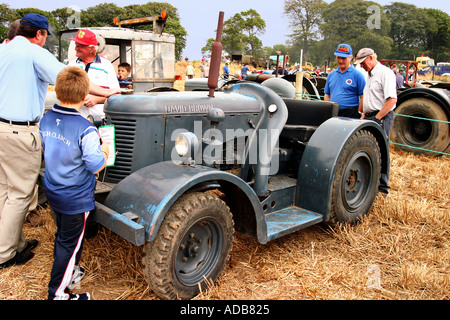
(193, 167)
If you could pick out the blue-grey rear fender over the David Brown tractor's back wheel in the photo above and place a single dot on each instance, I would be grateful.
(317, 167)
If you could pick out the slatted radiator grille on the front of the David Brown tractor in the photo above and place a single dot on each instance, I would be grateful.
(125, 139)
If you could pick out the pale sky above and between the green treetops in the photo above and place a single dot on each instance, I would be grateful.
(200, 17)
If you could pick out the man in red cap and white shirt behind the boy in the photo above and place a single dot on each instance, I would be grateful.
(100, 71)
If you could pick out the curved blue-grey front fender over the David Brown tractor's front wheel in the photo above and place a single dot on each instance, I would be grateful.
(150, 192)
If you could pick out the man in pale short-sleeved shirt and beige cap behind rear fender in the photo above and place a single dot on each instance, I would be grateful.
(380, 97)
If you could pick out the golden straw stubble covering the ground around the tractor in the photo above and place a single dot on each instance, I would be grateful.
(400, 250)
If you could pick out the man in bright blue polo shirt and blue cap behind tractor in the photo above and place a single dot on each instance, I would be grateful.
(345, 85)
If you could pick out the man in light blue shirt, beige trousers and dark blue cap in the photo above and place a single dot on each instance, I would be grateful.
(28, 69)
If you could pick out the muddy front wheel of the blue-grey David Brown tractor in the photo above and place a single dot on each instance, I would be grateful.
(191, 248)
